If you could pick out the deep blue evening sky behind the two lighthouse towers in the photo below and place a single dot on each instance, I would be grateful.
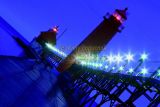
(80, 17)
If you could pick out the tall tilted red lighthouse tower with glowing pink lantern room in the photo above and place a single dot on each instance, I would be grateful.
(97, 39)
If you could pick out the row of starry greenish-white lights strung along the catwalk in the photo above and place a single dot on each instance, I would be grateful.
(91, 63)
